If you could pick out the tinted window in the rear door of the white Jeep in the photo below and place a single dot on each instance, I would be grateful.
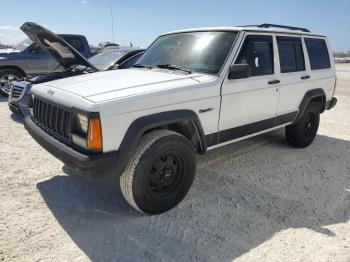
(291, 54)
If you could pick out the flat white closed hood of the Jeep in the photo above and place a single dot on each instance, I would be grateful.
(103, 86)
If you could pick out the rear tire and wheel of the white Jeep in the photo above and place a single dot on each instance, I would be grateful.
(303, 132)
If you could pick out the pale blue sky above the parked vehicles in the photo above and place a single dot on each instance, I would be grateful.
(140, 22)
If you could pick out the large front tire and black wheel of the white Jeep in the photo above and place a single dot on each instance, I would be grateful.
(160, 172)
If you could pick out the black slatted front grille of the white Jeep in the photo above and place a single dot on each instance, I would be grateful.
(52, 117)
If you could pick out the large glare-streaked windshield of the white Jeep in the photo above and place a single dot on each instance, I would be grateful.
(203, 52)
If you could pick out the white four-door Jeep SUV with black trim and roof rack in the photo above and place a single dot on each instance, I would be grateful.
(192, 91)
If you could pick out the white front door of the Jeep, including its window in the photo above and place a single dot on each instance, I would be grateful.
(249, 104)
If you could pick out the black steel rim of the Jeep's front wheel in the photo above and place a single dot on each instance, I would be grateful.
(165, 174)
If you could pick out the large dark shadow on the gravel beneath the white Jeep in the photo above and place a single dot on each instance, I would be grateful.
(243, 194)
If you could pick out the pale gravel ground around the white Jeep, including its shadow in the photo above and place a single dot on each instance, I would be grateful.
(256, 200)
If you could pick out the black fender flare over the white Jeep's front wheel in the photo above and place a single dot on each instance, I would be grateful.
(141, 125)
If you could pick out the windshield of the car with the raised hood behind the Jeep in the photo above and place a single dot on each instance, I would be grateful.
(107, 58)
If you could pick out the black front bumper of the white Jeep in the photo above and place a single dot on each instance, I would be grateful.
(96, 166)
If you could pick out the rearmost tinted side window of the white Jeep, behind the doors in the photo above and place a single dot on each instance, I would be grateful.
(318, 53)
